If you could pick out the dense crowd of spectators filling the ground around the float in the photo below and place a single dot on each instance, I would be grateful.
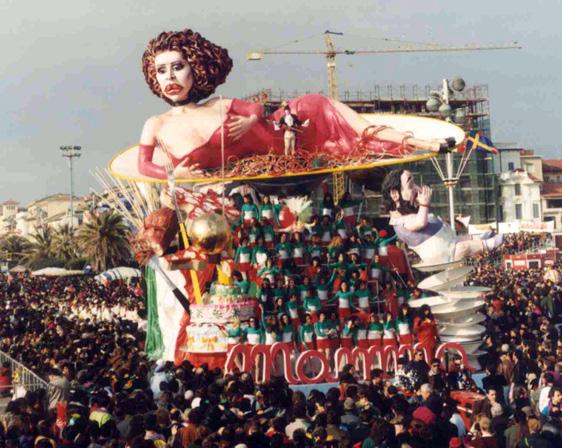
(86, 340)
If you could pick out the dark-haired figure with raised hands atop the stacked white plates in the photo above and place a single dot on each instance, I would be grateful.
(426, 234)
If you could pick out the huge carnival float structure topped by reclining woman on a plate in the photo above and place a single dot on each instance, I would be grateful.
(177, 179)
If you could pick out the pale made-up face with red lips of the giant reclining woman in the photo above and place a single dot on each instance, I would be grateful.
(173, 74)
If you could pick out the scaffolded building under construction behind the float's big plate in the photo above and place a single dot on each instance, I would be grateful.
(476, 192)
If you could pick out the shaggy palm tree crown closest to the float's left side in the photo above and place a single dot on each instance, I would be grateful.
(104, 240)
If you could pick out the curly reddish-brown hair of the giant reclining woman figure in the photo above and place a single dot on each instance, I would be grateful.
(210, 64)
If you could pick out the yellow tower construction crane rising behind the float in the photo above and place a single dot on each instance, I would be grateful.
(331, 52)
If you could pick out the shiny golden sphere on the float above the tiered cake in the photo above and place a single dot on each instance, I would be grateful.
(209, 233)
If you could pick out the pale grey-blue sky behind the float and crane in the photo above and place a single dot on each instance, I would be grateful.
(70, 70)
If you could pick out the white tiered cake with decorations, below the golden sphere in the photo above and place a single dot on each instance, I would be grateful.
(221, 306)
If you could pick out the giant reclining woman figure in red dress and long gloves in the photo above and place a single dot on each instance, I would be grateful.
(183, 68)
